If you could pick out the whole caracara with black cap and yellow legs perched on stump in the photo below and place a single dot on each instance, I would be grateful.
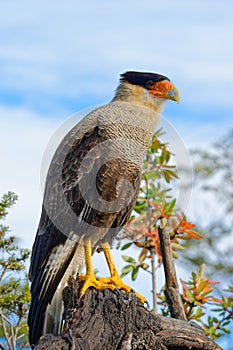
(91, 189)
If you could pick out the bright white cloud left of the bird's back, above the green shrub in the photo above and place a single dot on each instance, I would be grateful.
(24, 136)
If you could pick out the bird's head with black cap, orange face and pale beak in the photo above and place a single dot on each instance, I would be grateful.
(149, 89)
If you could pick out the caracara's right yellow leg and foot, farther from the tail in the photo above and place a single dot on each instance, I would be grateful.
(115, 279)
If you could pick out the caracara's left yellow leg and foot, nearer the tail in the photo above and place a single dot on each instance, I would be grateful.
(89, 279)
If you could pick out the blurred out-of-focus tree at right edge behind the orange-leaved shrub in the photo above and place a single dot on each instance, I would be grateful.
(213, 189)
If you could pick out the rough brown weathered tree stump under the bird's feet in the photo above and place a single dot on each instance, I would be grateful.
(106, 320)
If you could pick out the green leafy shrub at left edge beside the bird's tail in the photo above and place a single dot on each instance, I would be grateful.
(14, 288)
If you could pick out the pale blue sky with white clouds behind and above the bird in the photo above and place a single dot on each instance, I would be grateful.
(59, 57)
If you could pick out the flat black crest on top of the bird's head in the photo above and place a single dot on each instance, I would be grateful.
(141, 78)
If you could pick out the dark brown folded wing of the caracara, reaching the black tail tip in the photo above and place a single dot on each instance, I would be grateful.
(72, 211)
